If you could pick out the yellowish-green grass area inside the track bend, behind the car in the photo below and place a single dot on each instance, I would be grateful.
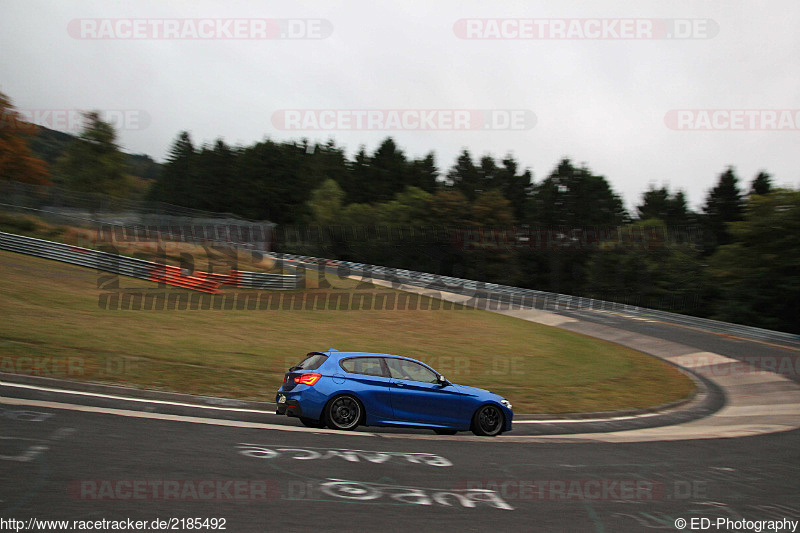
(53, 326)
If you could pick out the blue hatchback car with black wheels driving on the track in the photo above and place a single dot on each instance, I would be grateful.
(342, 390)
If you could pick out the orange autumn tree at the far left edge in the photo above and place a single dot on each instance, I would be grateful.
(17, 162)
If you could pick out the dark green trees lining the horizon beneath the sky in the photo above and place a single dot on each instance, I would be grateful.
(735, 259)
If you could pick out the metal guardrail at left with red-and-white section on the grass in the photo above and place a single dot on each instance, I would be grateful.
(147, 270)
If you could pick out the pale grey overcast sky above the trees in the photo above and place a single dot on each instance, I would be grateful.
(603, 102)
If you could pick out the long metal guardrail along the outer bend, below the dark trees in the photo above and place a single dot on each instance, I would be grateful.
(495, 296)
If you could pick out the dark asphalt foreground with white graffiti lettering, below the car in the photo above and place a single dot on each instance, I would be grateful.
(299, 481)
